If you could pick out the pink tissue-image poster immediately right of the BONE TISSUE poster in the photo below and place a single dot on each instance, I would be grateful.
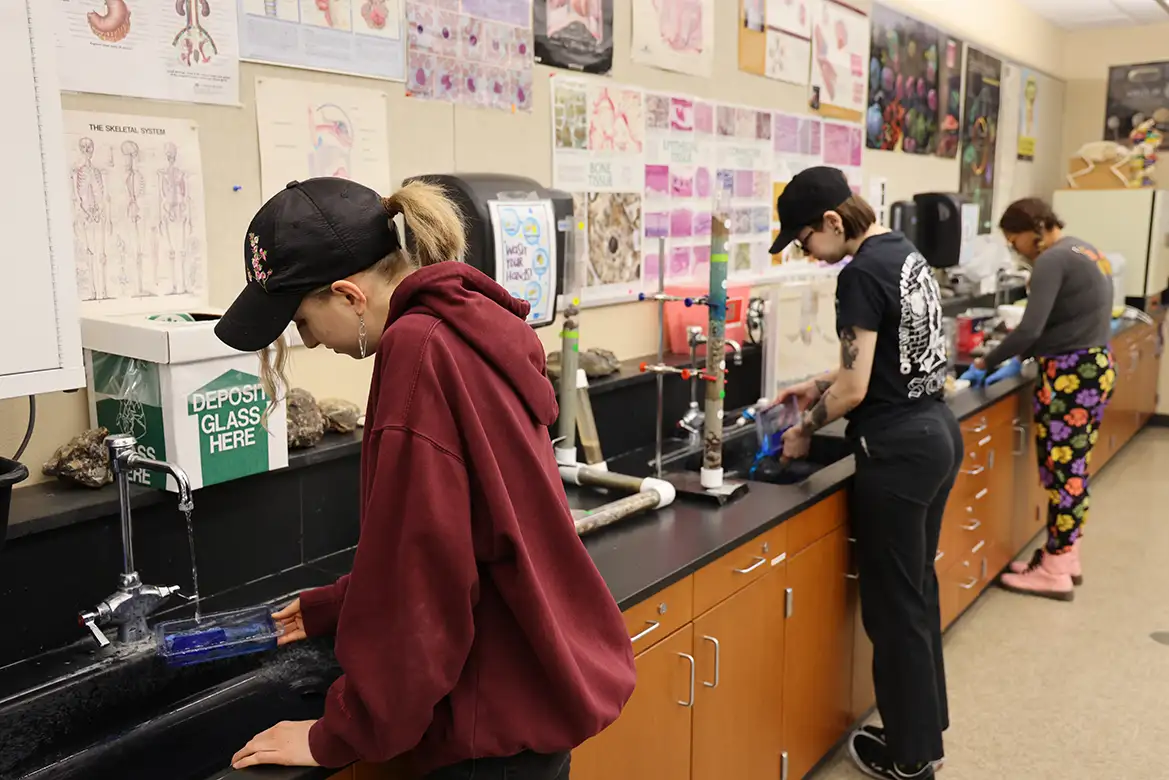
(680, 185)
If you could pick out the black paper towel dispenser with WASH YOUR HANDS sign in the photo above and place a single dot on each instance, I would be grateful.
(514, 234)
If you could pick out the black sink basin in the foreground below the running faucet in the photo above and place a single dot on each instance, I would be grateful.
(136, 720)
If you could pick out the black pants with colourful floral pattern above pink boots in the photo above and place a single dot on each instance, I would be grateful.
(1070, 398)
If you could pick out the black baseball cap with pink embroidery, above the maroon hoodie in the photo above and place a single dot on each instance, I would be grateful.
(308, 236)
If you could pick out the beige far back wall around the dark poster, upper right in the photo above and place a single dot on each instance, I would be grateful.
(1088, 57)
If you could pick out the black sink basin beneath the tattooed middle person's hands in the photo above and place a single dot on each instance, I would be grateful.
(739, 450)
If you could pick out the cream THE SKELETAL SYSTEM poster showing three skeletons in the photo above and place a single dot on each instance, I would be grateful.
(140, 230)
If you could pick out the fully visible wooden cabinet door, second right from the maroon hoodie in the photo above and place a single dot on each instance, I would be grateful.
(738, 728)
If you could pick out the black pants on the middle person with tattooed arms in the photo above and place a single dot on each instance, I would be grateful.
(905, 472)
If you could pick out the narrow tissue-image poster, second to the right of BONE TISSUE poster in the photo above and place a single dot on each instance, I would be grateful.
(744, 160)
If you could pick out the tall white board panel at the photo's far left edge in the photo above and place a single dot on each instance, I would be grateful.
(40, 342)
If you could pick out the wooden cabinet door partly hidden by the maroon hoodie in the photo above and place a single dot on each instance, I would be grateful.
(652, 738)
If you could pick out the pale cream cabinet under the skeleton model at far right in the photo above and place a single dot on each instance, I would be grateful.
(1130, 223)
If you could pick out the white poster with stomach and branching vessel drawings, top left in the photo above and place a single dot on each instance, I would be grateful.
(183, 51)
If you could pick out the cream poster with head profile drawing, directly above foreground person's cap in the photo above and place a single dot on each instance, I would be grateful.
(310, 130)
